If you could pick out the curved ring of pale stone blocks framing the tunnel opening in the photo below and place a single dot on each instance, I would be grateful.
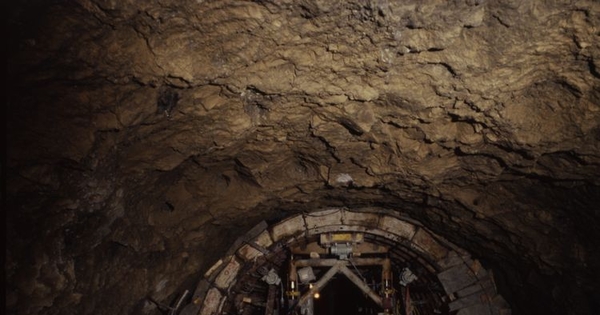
(468, 288)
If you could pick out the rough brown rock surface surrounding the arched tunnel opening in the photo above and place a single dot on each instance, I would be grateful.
(144, 136)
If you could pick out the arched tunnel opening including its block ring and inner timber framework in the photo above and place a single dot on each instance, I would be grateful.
(355, 262)
